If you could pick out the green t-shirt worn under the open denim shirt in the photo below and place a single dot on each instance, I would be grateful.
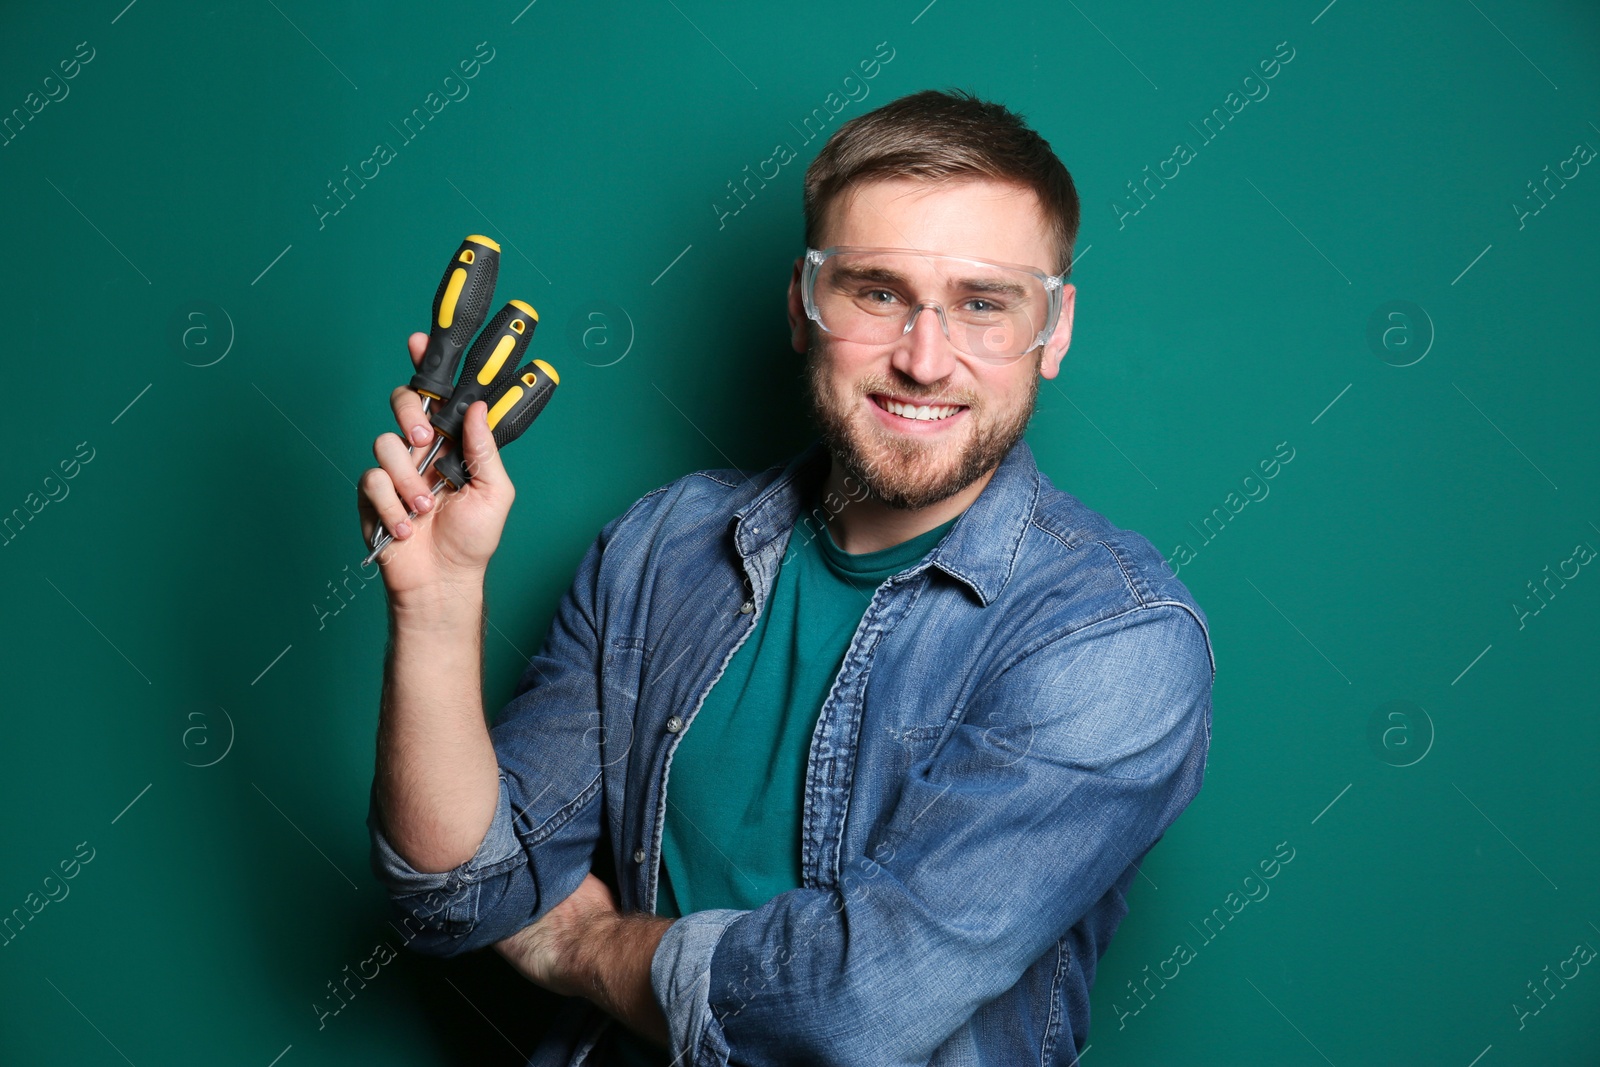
(732, 837)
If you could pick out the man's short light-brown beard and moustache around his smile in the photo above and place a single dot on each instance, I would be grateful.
(902, 471)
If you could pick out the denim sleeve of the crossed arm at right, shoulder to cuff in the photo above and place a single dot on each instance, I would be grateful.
(1060, 775)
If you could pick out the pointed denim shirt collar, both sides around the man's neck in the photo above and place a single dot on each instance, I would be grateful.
(980, 551)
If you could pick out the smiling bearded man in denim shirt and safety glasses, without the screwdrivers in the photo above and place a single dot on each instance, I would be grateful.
(922, 713)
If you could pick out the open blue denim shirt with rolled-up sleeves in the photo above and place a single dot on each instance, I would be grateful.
(1017, 722)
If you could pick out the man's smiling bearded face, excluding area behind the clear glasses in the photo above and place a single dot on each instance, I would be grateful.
(913, 463)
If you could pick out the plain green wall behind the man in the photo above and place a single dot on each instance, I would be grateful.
(183, 697)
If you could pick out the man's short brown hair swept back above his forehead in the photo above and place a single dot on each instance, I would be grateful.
(943, 137)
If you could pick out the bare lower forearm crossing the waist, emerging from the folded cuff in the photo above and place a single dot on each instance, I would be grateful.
(586, 948)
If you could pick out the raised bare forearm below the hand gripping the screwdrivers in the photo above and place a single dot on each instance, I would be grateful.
(438, 777)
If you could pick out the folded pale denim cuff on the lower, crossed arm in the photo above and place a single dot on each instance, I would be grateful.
(681, 978)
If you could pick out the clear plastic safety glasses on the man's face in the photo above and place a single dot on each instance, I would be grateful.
(991, 311)
